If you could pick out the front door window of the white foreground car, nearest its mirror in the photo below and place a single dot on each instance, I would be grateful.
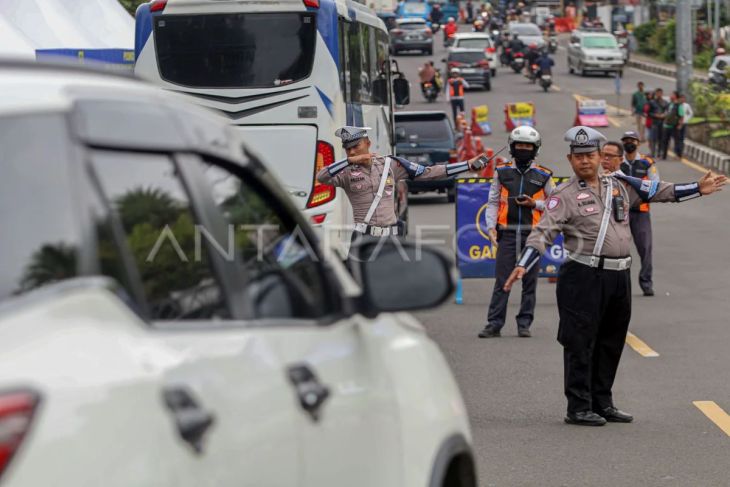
(284, 272)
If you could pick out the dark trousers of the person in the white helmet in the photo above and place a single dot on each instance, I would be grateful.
(511, 244)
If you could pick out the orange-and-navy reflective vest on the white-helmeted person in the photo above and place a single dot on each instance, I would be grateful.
(514, 183)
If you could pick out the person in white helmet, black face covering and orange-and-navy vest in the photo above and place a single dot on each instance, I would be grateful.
(516, 202)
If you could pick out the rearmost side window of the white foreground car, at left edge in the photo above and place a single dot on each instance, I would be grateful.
(41, 241)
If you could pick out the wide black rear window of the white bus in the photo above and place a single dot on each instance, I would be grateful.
(250, 50)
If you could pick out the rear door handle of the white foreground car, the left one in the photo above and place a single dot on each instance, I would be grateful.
(191, 420)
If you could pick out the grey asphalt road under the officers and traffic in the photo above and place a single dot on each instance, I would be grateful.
(513, 386)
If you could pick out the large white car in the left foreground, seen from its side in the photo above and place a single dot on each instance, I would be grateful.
(168, 318)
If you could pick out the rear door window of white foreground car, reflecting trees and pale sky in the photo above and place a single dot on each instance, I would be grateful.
(162, 235)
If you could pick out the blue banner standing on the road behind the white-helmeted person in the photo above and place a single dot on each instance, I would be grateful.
(475, 253)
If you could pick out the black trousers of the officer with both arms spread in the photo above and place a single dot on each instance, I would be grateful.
(595, 310)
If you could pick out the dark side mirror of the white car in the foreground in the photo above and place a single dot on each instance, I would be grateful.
(397, 275)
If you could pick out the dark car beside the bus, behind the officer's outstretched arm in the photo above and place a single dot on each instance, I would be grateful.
(427, 138)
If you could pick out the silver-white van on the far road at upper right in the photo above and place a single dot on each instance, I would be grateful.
(594, 51)
